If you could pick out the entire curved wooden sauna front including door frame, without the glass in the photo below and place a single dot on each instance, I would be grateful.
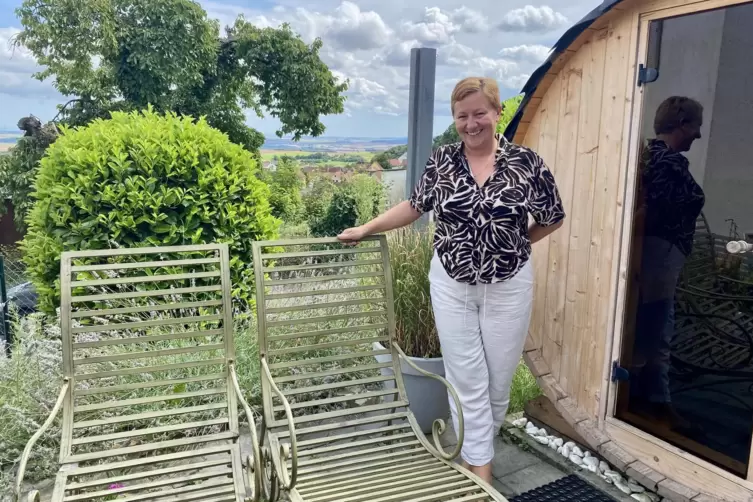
(579, 121)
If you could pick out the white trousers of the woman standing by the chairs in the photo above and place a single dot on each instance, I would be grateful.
(482, 330)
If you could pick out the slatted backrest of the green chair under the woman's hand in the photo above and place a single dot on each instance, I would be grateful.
(326, 324)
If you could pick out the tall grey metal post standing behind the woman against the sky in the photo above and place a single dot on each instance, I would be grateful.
(423, 67)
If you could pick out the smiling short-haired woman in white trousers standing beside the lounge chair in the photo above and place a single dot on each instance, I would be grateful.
(482, 191)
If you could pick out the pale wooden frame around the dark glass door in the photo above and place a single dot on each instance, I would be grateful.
(669, 460)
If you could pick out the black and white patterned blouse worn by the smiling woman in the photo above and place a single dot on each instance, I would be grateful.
(482, 232)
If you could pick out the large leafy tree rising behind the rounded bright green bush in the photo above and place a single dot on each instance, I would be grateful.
(121, 55)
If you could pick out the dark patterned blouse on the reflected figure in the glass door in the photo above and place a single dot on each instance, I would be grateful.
(672, 199)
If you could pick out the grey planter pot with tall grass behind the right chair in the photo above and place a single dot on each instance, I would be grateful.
(428, 397)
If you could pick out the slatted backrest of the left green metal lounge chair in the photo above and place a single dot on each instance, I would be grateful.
(147, 337)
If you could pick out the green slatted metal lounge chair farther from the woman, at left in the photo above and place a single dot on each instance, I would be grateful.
(150, 397)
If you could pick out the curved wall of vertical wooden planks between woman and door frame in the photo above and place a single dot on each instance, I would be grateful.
(577, 128)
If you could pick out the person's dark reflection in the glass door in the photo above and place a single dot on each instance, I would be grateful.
(670, 201)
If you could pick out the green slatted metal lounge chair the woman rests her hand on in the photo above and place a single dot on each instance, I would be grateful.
(336, 420)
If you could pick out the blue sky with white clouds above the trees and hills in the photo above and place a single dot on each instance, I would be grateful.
(365, 41)
